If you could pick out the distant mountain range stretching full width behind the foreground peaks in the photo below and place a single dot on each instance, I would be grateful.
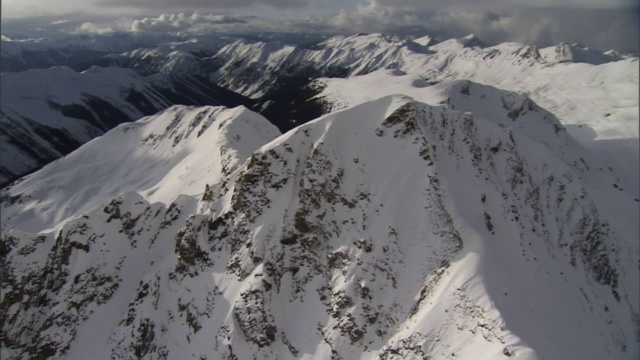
(279, 78)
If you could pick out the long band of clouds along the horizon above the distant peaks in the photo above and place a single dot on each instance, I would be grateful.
(603, 29)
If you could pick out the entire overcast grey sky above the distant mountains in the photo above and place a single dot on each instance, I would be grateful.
(600, 24)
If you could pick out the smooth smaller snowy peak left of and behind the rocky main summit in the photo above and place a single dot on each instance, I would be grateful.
(175, 152)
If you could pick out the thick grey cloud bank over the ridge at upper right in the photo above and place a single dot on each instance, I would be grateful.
(598, 28)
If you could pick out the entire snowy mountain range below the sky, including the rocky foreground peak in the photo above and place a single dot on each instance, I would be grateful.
(396, 199)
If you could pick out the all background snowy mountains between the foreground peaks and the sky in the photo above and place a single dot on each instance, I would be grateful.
(54, 111)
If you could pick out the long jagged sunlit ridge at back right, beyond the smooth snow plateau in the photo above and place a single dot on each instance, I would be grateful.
(596, 102)
